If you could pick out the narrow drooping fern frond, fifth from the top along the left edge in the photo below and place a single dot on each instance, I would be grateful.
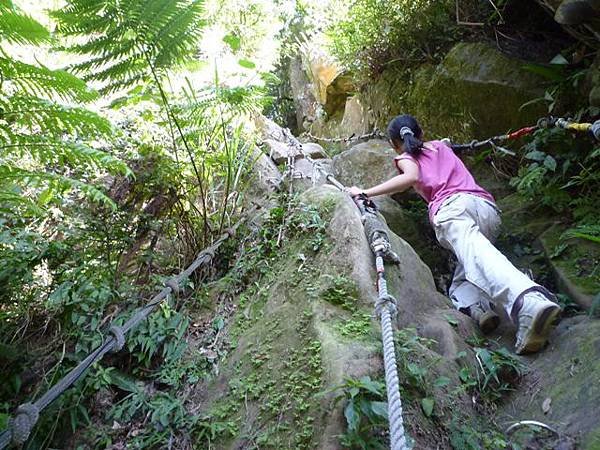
(55, 181)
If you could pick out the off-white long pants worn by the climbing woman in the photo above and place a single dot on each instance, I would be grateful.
(466, 224)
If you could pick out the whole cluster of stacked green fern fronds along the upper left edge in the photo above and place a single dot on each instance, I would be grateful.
(46, 133)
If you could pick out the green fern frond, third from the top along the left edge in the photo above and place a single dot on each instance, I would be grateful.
(36, 115)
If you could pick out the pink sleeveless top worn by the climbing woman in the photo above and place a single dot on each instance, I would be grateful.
(442, 174)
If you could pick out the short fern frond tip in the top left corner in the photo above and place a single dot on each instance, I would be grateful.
(19, 28)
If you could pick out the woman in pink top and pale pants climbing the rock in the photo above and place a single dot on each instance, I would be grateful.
(466, 221)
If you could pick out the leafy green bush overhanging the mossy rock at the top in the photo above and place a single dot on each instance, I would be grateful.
(376, 32)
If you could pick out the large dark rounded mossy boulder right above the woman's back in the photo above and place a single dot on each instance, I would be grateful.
(476, 92)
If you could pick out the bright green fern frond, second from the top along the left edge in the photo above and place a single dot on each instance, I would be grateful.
(43, 82)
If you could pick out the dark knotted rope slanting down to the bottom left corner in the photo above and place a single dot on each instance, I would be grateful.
(27, 414)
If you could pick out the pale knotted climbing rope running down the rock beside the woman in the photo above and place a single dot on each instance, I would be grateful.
(385, 306)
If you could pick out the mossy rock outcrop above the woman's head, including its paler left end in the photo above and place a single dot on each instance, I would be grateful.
(474, 84)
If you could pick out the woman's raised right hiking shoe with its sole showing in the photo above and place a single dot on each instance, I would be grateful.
(535, 321)
